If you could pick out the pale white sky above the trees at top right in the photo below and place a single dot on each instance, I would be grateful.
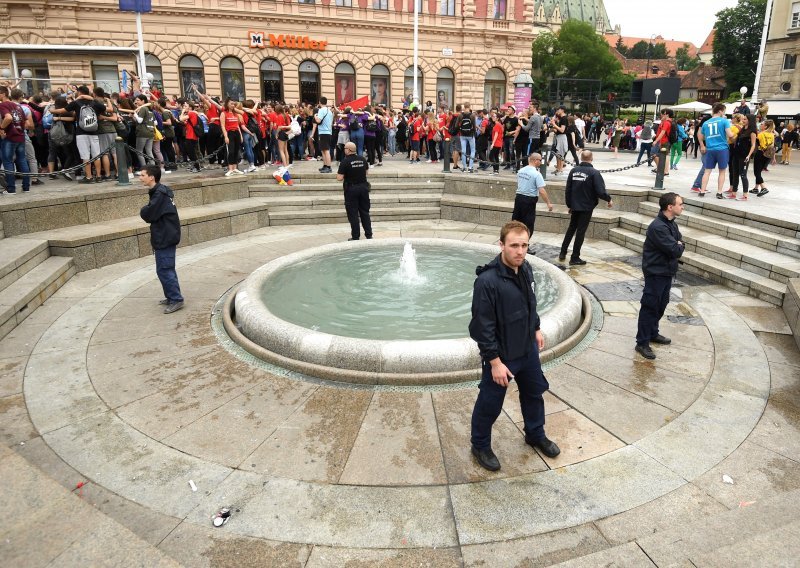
(687, 20)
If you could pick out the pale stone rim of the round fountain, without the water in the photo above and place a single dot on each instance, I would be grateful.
(388, 361)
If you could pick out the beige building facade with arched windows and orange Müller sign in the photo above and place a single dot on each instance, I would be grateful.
(469, 50)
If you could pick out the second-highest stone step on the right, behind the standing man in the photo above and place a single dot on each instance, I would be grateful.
(770, 239)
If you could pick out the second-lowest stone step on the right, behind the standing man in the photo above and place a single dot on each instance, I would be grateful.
(743, 254)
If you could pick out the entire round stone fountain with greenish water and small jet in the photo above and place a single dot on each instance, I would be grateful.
(389, 311)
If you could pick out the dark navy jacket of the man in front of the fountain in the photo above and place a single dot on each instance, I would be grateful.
(504, 319)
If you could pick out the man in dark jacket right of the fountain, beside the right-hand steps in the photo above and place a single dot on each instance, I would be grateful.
(662, 249)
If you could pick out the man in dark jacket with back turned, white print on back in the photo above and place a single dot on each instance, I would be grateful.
(585, 187)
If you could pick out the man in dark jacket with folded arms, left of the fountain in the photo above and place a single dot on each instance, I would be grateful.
(165, 234)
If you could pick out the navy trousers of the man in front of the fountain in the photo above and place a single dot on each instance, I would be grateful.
(527, 371)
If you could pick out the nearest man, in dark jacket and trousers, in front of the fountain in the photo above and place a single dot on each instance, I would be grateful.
(505, 325)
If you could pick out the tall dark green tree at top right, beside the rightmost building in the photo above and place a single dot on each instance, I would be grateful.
(737, 41)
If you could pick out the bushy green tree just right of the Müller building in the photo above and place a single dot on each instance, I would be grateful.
(576, 51)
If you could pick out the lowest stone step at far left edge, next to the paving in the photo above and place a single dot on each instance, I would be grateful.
(30, 291)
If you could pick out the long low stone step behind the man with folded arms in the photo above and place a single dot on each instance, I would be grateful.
(99, 244)
